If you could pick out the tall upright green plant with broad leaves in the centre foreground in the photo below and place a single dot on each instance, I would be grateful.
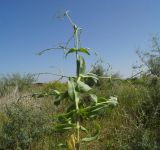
(77, 108)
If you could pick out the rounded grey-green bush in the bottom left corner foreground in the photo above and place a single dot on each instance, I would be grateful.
(24, 126)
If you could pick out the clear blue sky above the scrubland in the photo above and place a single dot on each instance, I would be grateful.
(114, 28)
